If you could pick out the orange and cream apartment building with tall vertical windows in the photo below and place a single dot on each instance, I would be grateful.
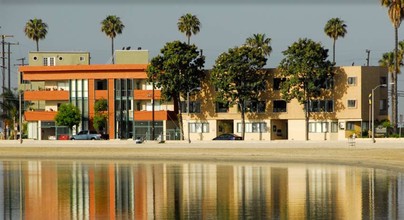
(124, 85)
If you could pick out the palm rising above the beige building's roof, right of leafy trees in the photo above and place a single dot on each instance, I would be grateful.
(334, 29)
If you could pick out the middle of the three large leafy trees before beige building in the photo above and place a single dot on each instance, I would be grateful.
(238, 77)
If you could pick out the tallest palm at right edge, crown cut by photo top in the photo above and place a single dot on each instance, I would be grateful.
(396, 15)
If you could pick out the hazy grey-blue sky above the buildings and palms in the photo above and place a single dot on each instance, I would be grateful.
(149, 24)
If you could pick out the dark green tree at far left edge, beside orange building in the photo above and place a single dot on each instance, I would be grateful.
(10, 106)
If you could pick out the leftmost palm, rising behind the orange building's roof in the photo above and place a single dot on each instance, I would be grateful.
(35, 29)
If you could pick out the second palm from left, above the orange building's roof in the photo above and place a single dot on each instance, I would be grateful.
(111, 26)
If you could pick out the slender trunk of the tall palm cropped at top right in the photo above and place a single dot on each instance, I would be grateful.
(394, 80)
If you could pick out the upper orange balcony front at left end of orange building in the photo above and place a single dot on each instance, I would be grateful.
(46, 95)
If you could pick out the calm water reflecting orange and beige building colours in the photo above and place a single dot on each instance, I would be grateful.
(95, 190)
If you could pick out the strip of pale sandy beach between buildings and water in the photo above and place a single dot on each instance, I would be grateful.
(385, 153)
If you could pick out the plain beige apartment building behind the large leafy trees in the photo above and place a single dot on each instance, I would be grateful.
(341, 111)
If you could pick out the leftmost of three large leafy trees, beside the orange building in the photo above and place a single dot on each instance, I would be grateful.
(177, 70)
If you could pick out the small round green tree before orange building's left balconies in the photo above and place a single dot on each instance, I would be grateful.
(68, 115)
